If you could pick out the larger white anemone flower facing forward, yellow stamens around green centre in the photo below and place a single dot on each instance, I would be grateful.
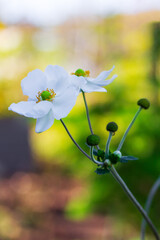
(50, 96)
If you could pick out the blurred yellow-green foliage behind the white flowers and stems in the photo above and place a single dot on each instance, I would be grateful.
(130, 43)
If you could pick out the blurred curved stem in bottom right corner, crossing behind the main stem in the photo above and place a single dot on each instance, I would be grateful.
(148, 204)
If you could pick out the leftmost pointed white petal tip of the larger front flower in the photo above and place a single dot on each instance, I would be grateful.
(23, 108)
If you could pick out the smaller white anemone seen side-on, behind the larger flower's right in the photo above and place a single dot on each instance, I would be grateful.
(82, 80)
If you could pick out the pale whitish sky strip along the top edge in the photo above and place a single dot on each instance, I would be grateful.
(53, 12)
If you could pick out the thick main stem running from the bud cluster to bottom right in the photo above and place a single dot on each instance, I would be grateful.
(134, 201)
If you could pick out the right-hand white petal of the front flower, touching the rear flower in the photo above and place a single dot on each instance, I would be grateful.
(63, 104)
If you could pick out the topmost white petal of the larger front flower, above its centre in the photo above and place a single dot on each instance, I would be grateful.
(57, 78)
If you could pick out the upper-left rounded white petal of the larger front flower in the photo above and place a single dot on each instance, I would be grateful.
(33, 83)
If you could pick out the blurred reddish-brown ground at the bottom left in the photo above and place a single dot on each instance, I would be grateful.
(34, 209)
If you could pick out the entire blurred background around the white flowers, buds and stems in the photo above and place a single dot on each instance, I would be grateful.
(48, 189)
